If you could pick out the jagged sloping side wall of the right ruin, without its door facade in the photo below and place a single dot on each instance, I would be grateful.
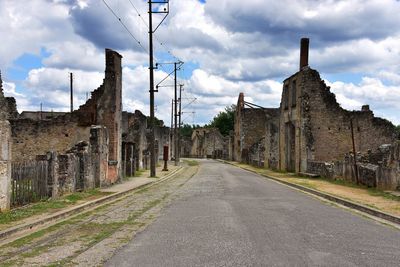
(330, 124)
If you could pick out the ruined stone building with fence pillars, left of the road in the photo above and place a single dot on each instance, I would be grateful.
(93, 146)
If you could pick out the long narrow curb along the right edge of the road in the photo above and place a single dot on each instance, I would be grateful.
(344, 202)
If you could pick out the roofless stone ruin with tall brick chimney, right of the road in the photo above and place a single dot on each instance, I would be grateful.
(310, 131)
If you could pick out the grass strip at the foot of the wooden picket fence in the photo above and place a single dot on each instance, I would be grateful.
(51, 205)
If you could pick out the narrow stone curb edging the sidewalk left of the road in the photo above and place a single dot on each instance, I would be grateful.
(80, 208)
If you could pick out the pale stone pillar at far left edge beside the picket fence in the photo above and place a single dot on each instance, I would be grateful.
(5, 165)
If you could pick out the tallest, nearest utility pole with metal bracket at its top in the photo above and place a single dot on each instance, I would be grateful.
(151, 68)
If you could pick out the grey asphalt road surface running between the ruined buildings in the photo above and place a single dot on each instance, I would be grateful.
(225, 216)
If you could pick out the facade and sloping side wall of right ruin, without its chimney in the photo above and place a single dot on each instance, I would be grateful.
(313, 126)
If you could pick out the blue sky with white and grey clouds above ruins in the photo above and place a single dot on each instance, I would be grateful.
(228, 46)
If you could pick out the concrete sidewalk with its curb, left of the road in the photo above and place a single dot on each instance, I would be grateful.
(28, 225)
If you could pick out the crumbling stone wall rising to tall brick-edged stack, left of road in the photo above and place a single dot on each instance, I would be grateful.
(33, 136)
